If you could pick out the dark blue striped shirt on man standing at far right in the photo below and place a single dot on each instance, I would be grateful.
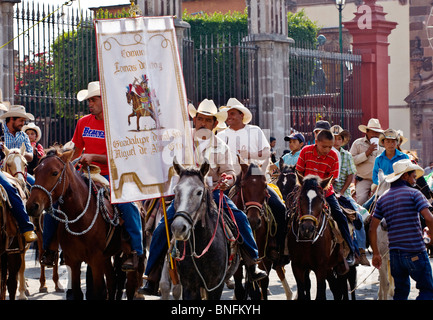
(400, 207)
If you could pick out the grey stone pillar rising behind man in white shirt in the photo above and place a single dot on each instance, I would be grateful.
(267, 27)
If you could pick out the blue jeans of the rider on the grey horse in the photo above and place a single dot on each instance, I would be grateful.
(158, 245)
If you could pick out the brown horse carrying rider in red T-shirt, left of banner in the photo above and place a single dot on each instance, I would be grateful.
(82, 232)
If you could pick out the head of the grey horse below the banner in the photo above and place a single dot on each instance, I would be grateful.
(189, 196)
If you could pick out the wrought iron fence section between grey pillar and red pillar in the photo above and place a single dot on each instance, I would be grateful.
(315, 90)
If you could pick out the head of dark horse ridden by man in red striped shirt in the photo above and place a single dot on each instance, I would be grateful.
(311, 204)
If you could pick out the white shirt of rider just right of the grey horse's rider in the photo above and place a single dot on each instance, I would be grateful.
(249, 139)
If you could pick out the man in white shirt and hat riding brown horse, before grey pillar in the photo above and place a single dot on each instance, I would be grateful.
(250, 143)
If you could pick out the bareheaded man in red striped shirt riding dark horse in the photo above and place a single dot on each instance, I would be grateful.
(320, 160)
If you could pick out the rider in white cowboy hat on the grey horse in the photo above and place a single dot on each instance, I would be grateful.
(210, 147)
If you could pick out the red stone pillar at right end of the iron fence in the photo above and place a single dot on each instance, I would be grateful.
(370, 31)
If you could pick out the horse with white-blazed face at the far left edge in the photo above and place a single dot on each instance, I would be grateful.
(16, 165)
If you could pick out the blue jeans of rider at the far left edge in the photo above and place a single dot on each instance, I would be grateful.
(18, 210)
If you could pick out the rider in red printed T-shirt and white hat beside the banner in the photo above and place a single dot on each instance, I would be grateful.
(90, 135)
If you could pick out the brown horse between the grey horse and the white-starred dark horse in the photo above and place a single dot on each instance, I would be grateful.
(251, 194)
